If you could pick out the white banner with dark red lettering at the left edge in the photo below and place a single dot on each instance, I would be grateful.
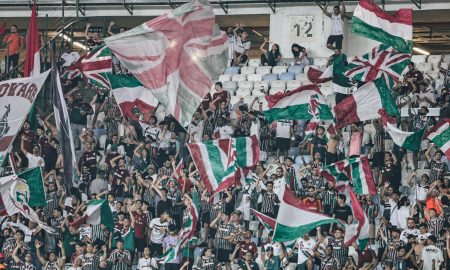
(16, 98)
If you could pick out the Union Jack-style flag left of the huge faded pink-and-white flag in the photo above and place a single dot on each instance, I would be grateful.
(97, 65)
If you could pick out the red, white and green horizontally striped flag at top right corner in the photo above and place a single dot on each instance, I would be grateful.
(372, 22)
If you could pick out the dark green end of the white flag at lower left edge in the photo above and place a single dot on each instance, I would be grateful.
(33, 177)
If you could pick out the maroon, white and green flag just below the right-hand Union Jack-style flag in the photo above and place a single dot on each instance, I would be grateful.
(365, 103)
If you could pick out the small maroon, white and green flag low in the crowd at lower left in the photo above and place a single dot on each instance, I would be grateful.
(97, 212)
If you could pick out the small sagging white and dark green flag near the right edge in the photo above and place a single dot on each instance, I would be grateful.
(407, 140)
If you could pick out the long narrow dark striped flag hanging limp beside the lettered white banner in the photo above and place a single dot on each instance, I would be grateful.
(63, 126)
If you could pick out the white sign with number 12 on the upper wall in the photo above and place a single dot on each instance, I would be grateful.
(302, 29)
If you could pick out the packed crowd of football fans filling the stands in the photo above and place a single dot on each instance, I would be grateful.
(136, 169)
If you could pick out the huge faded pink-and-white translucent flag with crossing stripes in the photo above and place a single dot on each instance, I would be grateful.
(177, 56)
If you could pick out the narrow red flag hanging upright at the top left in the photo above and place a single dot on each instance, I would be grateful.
(32, 57)
